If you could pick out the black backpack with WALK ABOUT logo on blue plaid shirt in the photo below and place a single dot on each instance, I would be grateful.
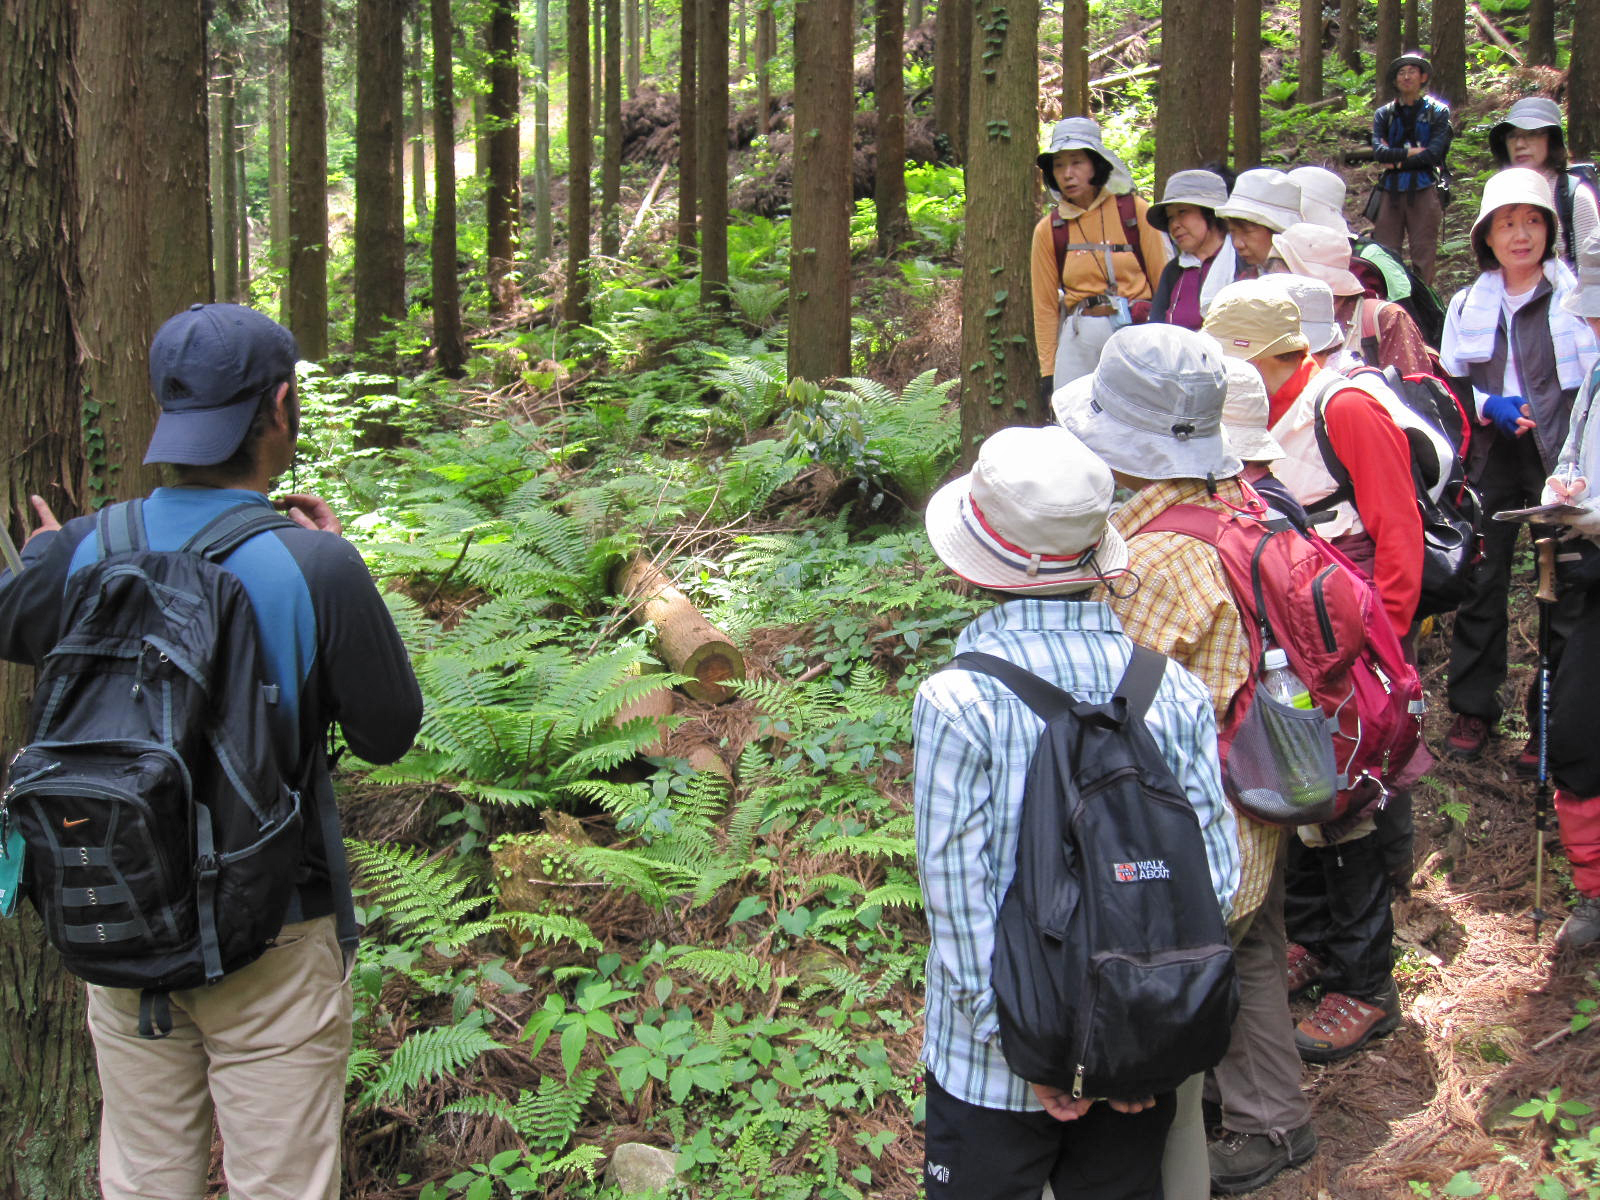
(1113, 970)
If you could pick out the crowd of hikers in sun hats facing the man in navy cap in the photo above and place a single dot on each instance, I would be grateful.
(1276, 457)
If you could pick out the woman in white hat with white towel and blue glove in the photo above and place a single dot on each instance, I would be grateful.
(1526, 358)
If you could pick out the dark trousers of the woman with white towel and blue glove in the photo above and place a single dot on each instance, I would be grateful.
(1511, 478)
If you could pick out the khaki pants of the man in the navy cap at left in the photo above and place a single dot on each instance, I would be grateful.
(265, 1050)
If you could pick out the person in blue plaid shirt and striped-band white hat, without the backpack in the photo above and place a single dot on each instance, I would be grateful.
(1031, 524)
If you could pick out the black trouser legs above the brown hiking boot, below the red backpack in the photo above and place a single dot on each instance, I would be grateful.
(1337, 905)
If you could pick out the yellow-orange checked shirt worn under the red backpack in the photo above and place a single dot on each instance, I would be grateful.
(1185, 609)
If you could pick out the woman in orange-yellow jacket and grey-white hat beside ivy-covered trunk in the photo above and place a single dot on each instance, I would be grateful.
(1095, 254)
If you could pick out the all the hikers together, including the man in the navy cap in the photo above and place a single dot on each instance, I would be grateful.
(1164, 788)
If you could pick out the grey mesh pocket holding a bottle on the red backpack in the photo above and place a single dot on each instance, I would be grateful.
(1281, 766)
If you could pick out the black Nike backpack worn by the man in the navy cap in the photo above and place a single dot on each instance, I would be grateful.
(162, 831)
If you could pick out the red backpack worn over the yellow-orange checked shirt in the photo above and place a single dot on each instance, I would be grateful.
(1306, 598)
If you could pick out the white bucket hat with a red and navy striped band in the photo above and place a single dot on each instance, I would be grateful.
(1030, 518)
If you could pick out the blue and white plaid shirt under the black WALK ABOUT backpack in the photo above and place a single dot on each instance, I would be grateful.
(975, 742)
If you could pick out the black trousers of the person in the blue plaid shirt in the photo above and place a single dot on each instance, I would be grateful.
(993, 1154)
